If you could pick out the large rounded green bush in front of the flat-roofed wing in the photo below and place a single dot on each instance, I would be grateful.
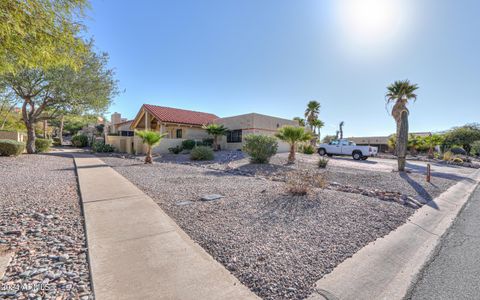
(260, 148)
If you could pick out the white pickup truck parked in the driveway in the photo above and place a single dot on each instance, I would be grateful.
(346, 147)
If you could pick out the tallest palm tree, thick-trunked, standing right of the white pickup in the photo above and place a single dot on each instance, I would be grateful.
(399, 93)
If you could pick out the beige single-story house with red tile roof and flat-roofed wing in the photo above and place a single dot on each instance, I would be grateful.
(181, 124)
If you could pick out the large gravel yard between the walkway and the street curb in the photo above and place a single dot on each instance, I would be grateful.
(276, 244)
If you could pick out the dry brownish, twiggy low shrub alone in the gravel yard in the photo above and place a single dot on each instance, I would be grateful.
(300, 183)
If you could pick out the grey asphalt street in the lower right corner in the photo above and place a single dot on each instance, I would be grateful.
(454, 272)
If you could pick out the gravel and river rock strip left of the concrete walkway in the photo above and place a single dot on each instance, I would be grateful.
(41, 223)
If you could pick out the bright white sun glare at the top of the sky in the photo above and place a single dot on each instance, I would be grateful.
(370, 22)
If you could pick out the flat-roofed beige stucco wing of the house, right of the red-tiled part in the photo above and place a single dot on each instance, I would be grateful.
(253, 123)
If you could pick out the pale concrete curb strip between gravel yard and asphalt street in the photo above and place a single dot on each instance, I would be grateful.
(385, 268)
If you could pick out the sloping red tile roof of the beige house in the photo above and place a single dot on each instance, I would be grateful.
(175, 115)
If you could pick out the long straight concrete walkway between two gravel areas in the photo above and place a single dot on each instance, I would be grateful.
(136, 251)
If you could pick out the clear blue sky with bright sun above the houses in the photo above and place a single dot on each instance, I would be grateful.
(230, 57)
